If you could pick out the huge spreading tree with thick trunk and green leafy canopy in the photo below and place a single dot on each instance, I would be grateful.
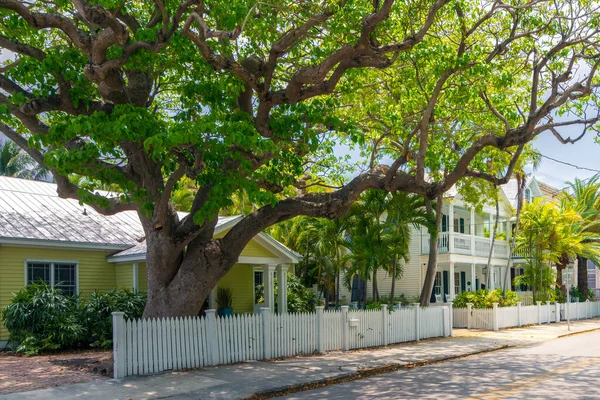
(251, 97)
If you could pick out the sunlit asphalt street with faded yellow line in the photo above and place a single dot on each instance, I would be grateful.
(567, 368)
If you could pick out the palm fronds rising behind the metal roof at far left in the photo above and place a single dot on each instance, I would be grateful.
(16, 163)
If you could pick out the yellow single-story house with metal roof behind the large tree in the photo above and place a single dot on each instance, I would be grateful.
(73, 247)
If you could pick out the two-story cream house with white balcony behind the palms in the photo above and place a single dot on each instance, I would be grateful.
(464, 247)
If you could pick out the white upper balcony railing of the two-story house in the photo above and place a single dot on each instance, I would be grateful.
(467, 245)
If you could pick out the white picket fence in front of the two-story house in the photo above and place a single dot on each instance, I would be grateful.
(506, 317)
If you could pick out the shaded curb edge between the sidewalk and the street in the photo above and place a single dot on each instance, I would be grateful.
(362, 374)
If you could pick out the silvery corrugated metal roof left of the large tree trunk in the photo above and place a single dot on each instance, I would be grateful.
(33, 210)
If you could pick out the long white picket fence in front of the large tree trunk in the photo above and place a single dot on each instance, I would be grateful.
(143, 346)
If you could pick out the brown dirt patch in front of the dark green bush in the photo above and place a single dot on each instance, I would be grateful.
(19, 373)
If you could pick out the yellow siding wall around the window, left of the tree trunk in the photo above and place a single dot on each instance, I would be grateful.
(94, 272)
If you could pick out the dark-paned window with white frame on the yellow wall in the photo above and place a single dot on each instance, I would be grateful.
(59, 275)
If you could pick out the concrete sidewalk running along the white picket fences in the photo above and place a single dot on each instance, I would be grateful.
(247, 379)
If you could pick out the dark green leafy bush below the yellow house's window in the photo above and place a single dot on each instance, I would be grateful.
(40, 318)
